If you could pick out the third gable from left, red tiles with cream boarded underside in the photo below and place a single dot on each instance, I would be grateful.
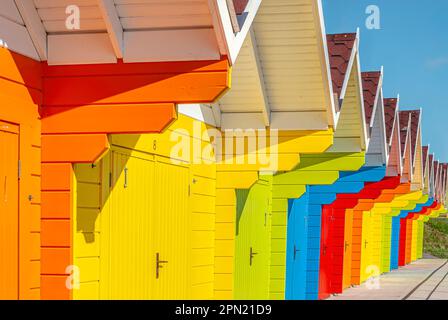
(351, 129)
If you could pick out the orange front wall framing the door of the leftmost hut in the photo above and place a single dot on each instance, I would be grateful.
(20, 97)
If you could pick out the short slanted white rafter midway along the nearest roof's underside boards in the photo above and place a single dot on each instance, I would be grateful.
(113, 24)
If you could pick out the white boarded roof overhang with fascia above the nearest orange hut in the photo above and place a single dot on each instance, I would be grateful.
(105, 31)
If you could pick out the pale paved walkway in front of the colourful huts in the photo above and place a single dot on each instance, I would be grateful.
(426, 279)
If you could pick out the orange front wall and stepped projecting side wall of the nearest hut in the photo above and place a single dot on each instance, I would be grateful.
(65, 114)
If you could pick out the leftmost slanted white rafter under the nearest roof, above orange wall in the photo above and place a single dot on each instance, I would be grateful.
(35, 27)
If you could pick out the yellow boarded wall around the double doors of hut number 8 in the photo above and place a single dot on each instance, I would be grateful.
(91, 214)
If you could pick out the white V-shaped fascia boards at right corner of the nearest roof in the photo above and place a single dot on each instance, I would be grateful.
(224, 29)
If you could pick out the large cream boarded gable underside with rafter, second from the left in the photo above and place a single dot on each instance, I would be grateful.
(273, 87)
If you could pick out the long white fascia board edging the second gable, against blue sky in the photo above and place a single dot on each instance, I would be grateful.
(319, 22)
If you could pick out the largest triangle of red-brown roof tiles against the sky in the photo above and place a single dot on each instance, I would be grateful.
(340, 48)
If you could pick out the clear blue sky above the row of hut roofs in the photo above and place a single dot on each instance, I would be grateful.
(412, 45)
